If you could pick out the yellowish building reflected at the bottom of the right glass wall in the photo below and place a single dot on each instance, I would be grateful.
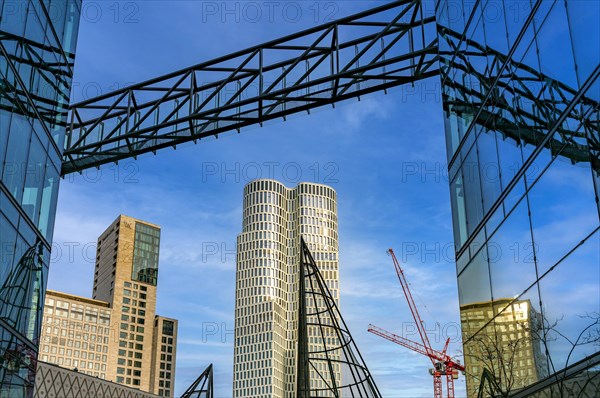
(512, 343)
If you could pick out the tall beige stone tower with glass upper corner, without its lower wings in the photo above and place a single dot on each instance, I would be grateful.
(125, 276)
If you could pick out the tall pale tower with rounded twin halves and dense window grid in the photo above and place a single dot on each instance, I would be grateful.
(267, 276)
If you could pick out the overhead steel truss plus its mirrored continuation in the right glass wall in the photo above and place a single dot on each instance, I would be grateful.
(378, 49)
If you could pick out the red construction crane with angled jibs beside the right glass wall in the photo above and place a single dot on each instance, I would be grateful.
(443, 364)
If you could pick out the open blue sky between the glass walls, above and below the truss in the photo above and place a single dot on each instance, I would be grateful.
(385, 156)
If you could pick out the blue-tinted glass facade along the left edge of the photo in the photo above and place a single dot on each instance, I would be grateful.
(37, 45)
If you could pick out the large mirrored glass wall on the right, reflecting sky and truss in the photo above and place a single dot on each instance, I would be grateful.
(521, 90)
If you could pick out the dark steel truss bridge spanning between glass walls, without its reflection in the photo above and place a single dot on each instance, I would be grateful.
(381, 48)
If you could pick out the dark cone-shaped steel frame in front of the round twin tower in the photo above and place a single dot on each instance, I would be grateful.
(332, 357)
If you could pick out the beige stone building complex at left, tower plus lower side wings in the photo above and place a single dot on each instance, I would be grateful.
(117, 335)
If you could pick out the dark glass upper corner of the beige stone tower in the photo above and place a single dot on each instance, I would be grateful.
(145, 254)
